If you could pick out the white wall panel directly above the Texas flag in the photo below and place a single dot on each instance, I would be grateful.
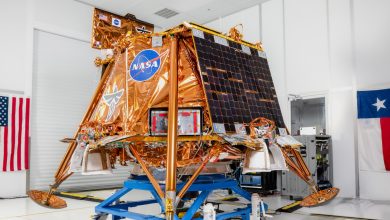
(372, 34)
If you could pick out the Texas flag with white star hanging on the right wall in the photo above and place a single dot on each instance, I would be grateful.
(374, 130)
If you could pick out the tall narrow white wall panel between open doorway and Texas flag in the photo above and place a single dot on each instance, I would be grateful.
(342, 108)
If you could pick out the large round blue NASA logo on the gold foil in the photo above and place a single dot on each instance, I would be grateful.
(145, 64)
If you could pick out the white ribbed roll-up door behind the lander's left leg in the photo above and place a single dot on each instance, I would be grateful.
(64, 81)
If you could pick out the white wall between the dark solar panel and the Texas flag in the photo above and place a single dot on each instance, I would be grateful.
(316, 39)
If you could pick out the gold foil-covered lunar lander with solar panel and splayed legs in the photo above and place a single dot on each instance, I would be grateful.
(178, 105)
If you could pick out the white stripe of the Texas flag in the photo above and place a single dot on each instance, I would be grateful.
(370, 145)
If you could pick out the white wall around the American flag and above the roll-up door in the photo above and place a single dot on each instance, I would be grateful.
(18, 20)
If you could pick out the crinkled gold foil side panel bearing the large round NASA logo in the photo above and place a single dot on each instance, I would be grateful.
(131, 116)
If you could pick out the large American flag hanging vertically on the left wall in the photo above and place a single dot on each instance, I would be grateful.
(14, 133)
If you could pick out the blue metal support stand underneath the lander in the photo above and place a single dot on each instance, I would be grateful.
(205, 184)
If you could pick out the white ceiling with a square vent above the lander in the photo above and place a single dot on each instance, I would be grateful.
(198, 11)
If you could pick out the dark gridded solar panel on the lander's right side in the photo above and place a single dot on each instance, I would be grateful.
(237, 80)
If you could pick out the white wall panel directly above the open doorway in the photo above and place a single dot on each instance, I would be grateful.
(307, 62)
